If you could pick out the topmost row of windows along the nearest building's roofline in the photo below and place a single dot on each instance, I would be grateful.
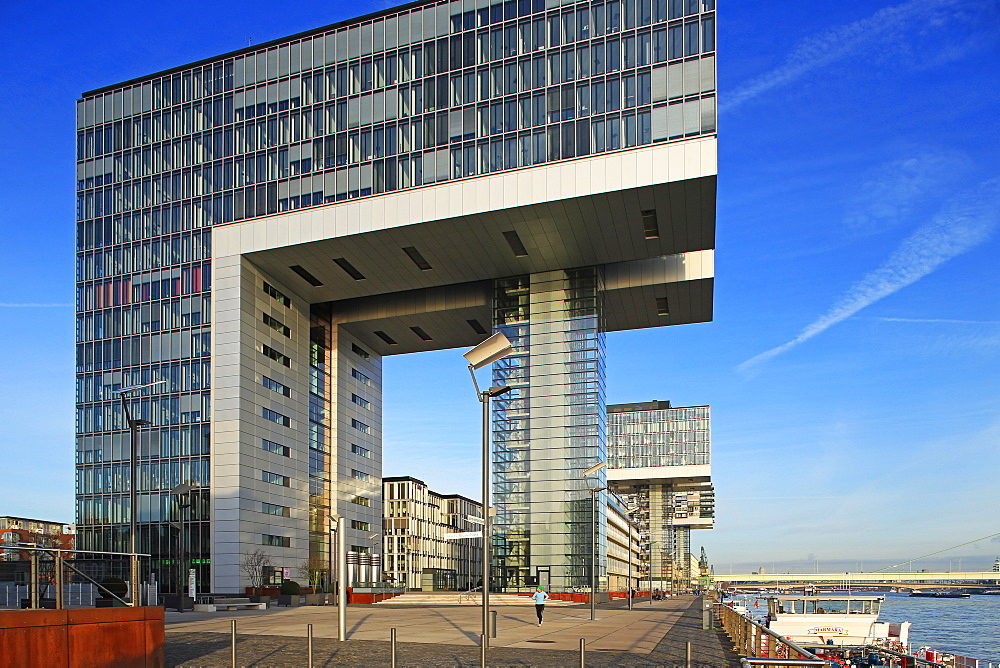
(388, 33)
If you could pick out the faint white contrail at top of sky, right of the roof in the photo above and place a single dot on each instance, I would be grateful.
(832, 45)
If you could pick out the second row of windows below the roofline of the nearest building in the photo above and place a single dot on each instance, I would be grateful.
(435, 92)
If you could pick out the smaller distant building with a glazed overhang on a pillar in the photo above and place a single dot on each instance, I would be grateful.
(659, 460)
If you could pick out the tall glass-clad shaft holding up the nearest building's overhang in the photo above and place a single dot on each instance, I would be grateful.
(548, 429)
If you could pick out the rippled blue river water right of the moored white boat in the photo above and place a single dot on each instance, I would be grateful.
(966, 626)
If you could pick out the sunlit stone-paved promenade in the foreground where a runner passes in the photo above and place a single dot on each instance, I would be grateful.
(649, 635)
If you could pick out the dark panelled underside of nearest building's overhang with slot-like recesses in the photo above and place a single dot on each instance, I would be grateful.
(599, 229)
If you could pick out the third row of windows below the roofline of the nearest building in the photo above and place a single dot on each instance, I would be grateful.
(608, 95)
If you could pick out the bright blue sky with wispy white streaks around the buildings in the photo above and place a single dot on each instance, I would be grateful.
(852, 366)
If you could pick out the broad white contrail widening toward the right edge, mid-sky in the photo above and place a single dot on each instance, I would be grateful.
(958, 228)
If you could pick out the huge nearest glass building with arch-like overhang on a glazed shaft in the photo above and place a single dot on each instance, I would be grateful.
(260, 228)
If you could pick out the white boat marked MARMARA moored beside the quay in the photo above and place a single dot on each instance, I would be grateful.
(834, 620)
